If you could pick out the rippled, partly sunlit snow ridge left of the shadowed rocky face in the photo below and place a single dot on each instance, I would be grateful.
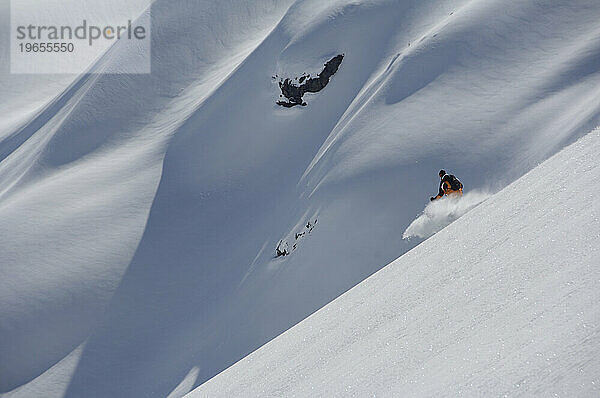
(79, 168)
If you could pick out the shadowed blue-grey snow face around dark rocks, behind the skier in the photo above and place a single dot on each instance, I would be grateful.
(485, 90)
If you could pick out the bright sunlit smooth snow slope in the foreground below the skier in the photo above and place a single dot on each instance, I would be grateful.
(503, 302)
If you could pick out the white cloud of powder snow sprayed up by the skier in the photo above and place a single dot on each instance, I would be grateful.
(442, 212)
